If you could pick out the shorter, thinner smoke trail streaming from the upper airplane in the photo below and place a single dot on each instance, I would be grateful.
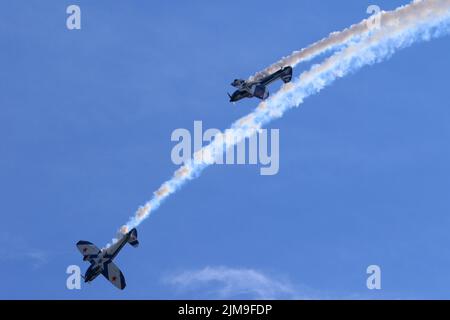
(341, 39)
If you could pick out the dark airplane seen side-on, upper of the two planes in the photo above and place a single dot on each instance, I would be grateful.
(258, 88)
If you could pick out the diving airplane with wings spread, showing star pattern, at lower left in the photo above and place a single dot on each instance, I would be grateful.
(101, 260)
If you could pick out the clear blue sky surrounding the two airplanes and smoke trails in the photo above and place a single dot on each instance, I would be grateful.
(85, 124)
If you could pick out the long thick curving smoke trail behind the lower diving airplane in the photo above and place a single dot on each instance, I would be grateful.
(422, 21)
